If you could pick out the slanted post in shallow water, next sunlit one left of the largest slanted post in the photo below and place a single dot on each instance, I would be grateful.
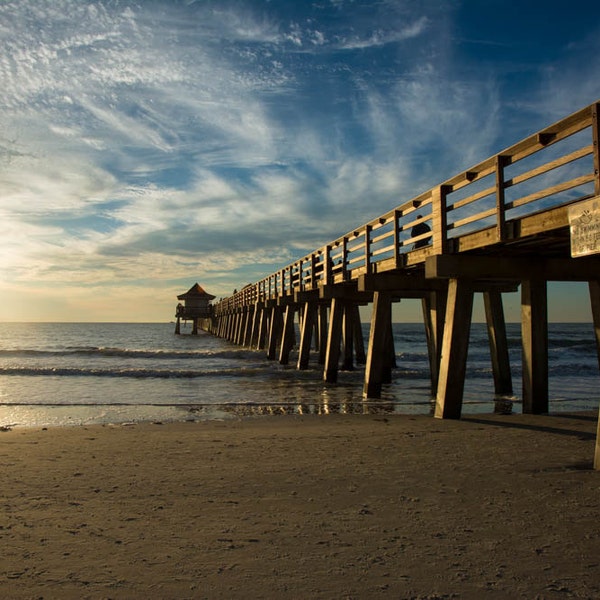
(378, 344)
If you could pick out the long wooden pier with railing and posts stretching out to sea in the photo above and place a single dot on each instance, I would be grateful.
(525, 216)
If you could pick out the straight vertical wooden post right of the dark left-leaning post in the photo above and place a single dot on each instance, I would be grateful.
(534, 328)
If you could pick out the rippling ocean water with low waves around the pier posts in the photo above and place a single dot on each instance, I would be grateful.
(83, 373)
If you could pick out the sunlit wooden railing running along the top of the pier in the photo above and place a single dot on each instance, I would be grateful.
(494, 202)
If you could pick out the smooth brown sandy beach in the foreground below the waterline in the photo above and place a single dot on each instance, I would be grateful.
(494, 506)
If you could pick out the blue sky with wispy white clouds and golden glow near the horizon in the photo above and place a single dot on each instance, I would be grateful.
(148, 145)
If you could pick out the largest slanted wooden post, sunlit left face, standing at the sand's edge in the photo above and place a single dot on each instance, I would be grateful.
(455, 345)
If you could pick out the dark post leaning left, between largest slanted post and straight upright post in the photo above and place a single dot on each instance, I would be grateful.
(496, 326)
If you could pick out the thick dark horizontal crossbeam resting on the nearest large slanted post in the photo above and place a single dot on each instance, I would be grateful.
(511, 268)
